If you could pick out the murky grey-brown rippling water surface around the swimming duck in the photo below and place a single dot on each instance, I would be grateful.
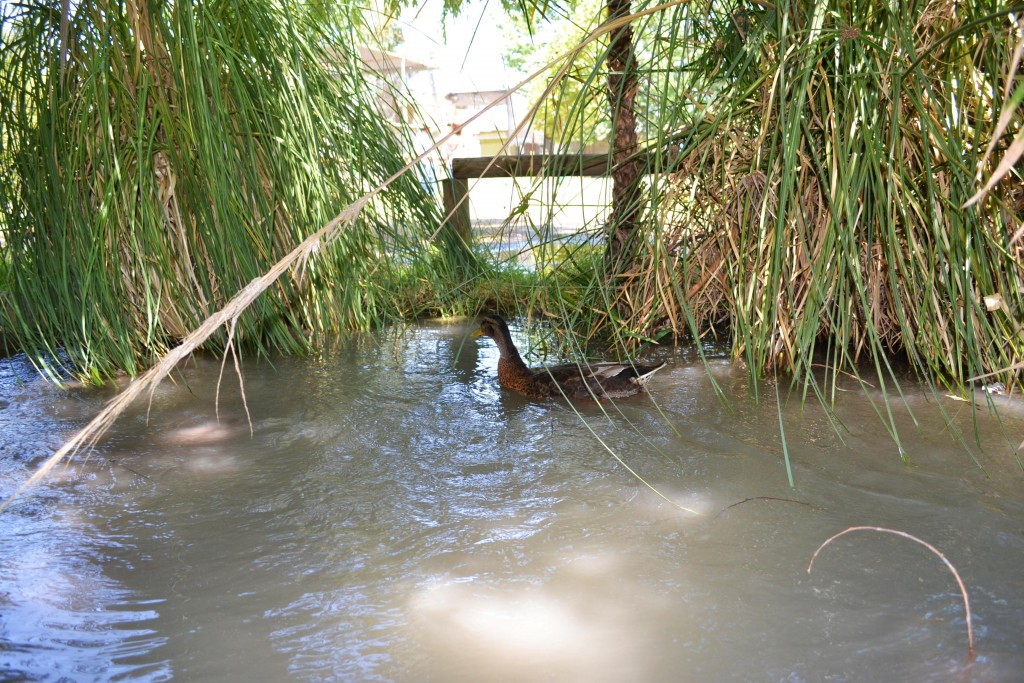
(394, 517)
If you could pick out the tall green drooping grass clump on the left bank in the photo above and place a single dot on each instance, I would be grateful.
(167, 154)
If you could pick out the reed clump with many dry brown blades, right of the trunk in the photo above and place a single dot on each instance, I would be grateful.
(806, 169)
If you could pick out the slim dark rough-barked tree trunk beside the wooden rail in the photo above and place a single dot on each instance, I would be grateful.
(623, 225)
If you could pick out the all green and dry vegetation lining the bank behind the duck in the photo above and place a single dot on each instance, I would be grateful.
(803, 170)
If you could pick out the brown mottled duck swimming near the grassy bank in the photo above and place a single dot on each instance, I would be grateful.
(595, 381)
